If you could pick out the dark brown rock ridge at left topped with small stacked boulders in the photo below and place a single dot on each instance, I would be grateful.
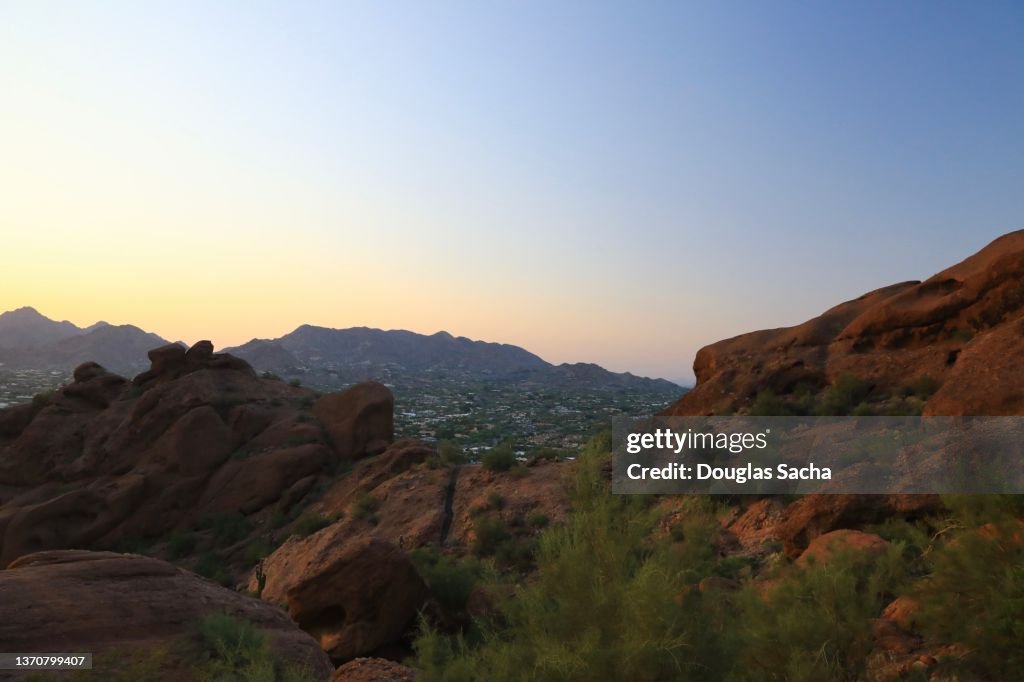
(108, 460)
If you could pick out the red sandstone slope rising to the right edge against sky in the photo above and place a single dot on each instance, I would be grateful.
(964, 328)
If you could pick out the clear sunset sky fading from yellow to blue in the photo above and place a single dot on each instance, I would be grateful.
(612, 183)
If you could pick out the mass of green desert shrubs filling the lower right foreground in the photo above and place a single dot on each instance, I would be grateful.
(614, 596)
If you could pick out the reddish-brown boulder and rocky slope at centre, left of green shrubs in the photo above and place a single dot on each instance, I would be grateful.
(351, 584)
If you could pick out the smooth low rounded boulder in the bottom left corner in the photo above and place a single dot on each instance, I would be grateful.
(106, 603)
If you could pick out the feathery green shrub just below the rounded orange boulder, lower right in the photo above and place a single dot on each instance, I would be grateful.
(816, 624)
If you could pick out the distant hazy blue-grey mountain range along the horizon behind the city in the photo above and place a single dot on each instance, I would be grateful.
(32, 342)
